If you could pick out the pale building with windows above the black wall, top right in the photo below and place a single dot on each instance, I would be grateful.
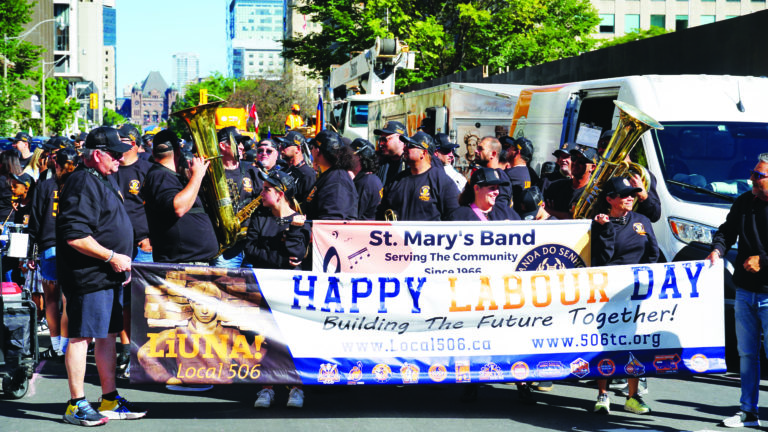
(619, 17)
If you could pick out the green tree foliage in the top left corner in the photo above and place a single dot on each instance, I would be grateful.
(19, 58)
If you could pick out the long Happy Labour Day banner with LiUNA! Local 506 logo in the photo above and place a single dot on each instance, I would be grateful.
(210, 325)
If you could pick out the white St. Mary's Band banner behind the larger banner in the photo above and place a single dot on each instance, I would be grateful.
(449, 247)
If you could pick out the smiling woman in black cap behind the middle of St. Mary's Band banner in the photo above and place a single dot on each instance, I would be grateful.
(479, 196)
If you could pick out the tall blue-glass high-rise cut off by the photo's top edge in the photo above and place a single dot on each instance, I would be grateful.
(254, 33)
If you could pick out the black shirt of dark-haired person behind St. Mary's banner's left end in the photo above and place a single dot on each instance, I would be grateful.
(333, 198)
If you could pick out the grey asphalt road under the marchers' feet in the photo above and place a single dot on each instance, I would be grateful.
(679, 403)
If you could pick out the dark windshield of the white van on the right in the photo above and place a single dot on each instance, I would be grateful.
(709, 162)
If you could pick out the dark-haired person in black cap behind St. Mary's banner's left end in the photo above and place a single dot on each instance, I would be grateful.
(334, 196)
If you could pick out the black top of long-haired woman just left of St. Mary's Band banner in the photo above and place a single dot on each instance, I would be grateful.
(271, 241)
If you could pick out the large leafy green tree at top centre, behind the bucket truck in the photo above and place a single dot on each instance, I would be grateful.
(449, 36)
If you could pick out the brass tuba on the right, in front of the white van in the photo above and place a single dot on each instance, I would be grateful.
(633, 123)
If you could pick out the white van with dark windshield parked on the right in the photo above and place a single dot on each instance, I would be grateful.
(714, 129)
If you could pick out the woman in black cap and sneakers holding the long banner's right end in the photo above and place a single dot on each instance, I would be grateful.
(621, 236)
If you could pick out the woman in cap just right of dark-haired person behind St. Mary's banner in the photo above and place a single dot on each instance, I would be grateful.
(367, 184)
